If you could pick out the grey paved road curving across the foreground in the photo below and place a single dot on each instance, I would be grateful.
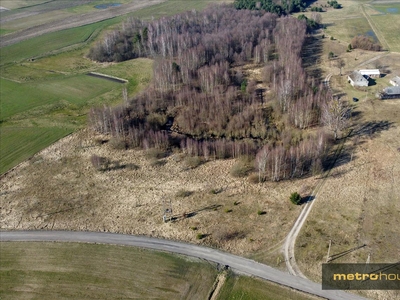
(237, 263)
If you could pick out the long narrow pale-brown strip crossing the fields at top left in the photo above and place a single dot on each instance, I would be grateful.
(75, 21)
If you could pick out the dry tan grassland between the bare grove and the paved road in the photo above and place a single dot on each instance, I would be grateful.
(60, 189)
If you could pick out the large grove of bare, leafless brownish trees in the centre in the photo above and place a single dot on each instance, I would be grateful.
(200, 100)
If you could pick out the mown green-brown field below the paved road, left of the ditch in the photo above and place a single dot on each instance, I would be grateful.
(89, 271)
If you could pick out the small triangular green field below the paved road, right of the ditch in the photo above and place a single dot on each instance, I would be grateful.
(246, 288)
